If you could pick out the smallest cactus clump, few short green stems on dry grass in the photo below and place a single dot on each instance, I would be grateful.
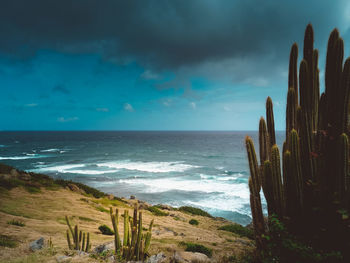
(81, 240)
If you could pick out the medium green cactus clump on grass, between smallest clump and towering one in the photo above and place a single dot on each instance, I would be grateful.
(135, 245)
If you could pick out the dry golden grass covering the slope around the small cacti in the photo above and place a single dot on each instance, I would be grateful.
(43, 214)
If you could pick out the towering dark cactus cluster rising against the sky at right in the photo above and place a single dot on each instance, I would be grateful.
(309, 189)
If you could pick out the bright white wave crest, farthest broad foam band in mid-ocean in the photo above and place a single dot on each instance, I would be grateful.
(151, 167)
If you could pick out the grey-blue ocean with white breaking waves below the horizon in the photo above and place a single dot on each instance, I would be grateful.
(205, 169)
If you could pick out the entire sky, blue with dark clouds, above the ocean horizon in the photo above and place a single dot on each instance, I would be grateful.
(153, 65)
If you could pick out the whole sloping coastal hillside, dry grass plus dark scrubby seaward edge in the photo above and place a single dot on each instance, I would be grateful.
(41, 203)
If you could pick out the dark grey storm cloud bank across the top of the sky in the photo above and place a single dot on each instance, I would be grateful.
(165, 34)
